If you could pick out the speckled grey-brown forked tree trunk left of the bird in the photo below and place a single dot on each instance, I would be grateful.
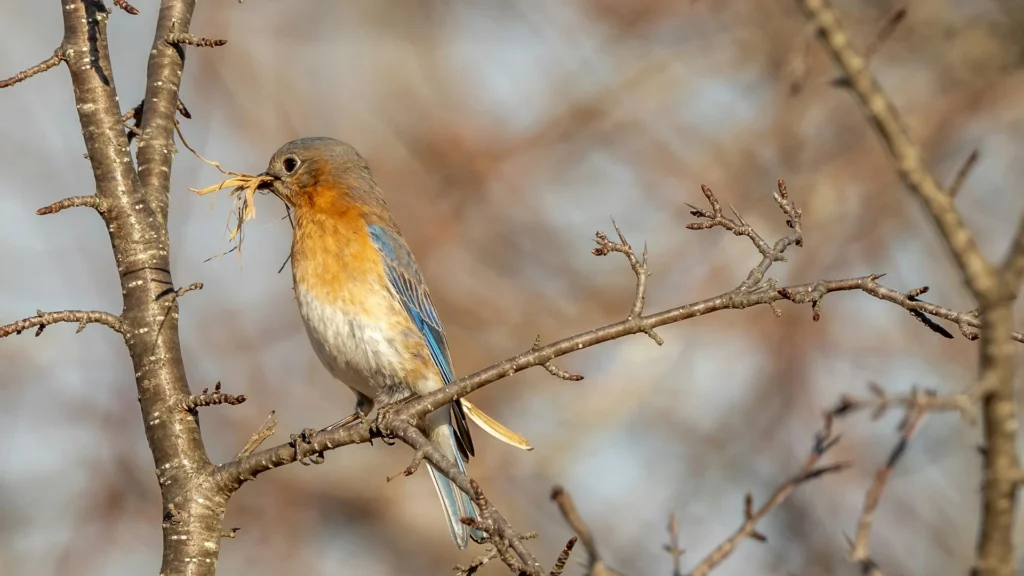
(194, 509)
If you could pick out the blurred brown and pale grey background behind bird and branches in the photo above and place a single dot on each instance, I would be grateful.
(505, 135)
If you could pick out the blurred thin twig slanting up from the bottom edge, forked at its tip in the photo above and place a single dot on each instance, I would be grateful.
(824, 441)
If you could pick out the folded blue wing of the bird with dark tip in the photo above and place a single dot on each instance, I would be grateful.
(404, 275)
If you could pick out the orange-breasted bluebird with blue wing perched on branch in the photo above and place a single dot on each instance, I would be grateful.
(365, 305)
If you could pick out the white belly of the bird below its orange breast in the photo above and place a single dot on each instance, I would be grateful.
(359, 353)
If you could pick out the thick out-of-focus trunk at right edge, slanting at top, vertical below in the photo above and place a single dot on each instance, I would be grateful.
(996, 289)
